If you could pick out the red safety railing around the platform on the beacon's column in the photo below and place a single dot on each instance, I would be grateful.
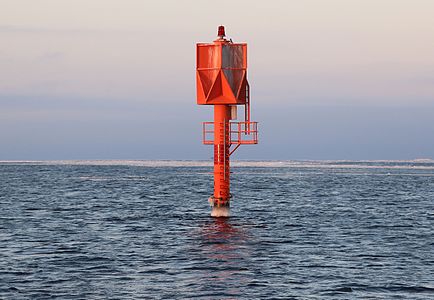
(239, 133)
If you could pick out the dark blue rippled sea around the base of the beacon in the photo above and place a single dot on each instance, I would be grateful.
(142, 230)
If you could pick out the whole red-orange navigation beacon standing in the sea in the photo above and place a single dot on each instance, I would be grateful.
(221, 80)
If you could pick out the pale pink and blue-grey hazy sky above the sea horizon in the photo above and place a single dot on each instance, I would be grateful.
(347, 79)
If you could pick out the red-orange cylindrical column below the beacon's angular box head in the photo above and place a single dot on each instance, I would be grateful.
(222, 114)
